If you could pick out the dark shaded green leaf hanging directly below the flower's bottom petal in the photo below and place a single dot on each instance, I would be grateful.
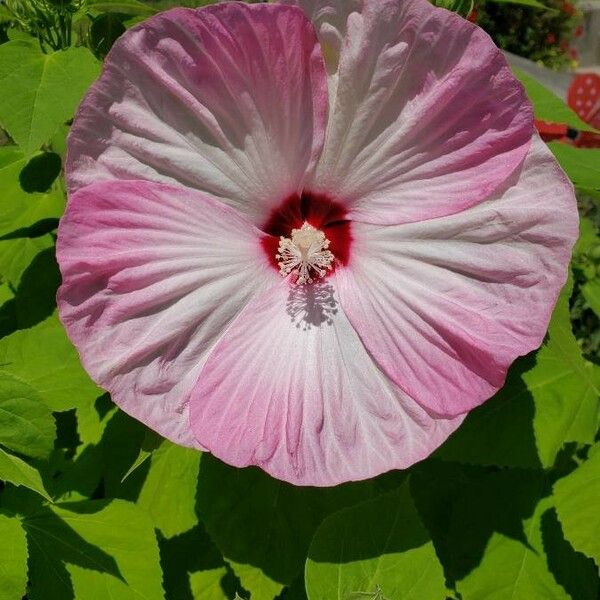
(263, 526)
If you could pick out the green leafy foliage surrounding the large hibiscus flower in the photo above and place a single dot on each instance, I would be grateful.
(95, 506)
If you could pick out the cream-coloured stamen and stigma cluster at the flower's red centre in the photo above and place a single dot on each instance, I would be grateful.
(305, 253)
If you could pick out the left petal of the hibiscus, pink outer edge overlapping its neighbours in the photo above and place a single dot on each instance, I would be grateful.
(152, 276)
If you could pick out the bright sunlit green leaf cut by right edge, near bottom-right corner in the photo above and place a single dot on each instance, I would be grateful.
(576, 497)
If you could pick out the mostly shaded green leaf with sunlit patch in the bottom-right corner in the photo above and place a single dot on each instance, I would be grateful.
(507, 543)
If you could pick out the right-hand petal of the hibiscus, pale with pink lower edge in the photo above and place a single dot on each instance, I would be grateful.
(446, 305)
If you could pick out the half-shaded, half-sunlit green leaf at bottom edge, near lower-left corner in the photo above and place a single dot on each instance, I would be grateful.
(94, 549)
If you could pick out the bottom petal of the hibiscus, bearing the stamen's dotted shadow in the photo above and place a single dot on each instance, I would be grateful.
(290, 388)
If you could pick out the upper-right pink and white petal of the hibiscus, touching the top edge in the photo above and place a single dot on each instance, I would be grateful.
(426, 118)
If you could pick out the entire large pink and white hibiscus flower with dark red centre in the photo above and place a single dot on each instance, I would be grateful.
(309, 236)
